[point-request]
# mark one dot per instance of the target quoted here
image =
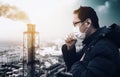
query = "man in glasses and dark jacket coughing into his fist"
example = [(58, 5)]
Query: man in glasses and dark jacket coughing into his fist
[(99, 56)]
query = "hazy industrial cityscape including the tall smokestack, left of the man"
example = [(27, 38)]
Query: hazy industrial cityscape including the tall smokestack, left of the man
[(30, 59)]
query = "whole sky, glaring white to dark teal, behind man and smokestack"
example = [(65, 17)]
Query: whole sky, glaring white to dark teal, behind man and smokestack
[(53, 18)]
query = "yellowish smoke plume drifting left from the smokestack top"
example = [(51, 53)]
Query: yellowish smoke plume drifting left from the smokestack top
[(12, 12)]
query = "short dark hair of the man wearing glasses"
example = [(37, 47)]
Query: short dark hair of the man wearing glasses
[(85, 12)]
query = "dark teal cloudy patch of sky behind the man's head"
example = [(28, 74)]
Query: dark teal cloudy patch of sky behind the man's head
[(107, 10)]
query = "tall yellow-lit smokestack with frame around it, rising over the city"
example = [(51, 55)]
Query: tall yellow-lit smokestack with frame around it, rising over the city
[(32, 43)]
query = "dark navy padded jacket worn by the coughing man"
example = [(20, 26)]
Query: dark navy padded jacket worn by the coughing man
[(101, 57)]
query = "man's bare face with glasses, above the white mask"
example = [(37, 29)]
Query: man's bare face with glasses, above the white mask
[(77, 22)]
